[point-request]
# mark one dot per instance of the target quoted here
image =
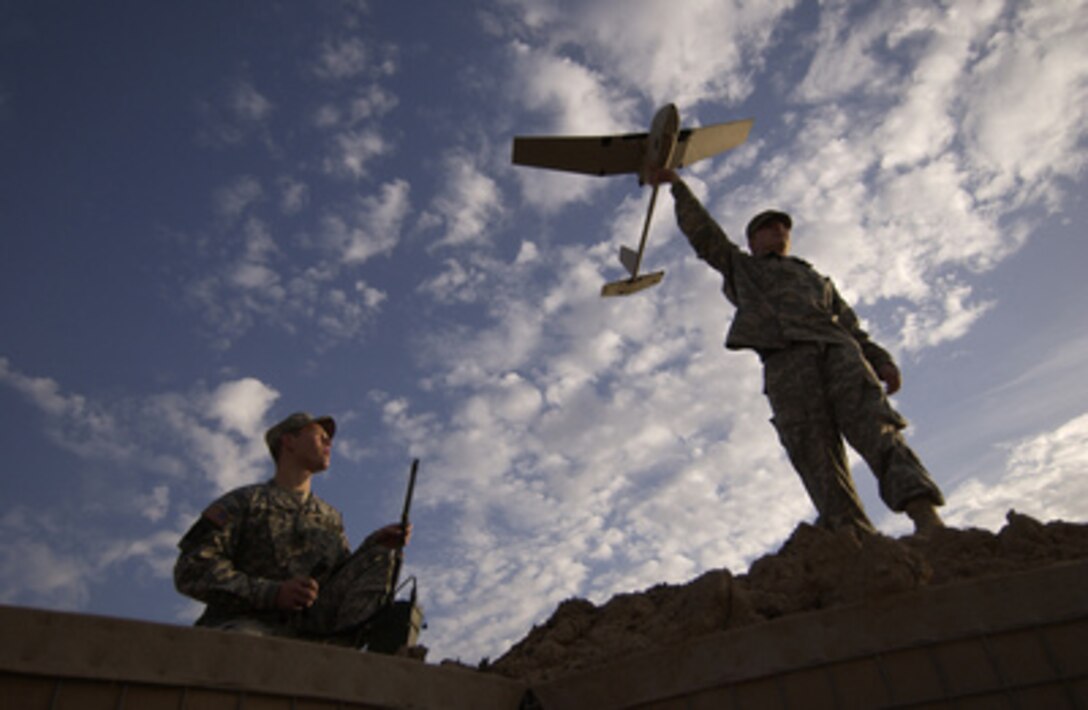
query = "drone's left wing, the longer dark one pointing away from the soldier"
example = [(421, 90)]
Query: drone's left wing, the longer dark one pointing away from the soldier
[(589, 155)]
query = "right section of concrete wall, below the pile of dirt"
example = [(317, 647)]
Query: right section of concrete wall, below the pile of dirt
[(1016, 642)]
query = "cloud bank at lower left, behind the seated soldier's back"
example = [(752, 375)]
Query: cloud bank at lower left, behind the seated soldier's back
[(57, 557)]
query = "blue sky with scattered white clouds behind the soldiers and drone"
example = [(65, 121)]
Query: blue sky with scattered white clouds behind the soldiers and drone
[(215, 215)]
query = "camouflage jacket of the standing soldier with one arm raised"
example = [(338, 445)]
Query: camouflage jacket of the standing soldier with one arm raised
[(780, 300)]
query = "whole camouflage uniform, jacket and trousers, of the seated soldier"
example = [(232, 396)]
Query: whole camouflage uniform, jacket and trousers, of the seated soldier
[(250, 541)]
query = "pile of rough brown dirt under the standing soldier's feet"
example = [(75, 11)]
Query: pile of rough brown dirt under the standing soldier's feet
[(814, 570)]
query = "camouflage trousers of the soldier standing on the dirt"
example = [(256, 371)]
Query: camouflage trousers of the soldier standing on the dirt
[(823, 393)]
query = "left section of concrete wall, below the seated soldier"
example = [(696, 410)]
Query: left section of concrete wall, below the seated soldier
[(72, 662)]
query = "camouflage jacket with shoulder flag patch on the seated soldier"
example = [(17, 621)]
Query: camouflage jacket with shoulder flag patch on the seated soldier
[(253, 539)]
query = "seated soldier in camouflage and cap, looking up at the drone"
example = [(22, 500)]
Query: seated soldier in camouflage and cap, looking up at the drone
[(273, 558)]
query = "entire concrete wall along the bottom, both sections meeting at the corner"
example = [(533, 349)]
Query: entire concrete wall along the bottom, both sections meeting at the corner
[(1016, 642)]
